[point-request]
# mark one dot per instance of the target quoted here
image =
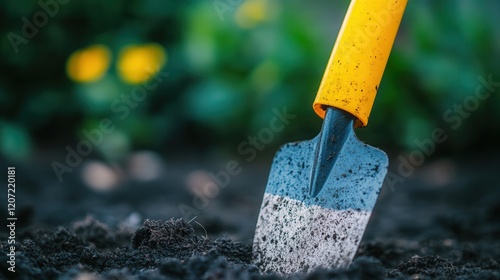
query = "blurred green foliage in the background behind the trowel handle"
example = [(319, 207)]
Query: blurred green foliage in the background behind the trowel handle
[(227, 71)]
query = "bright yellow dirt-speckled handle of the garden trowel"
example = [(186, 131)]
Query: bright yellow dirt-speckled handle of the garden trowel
[(358, 59)]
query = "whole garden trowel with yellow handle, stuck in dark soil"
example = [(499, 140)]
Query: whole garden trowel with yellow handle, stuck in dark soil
[(320, 193)]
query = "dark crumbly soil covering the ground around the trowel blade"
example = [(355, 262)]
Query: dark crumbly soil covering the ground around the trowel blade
[(441, 223)]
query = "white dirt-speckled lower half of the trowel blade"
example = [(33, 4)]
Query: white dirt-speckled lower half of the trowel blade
[(292, 237)]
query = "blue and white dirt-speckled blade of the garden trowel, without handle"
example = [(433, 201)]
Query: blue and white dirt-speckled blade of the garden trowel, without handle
[(299, 232)]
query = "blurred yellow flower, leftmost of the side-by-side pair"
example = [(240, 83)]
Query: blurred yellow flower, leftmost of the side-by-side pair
[(89, 64)]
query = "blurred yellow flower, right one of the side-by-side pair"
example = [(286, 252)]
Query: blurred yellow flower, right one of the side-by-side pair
[(139, 63)]
